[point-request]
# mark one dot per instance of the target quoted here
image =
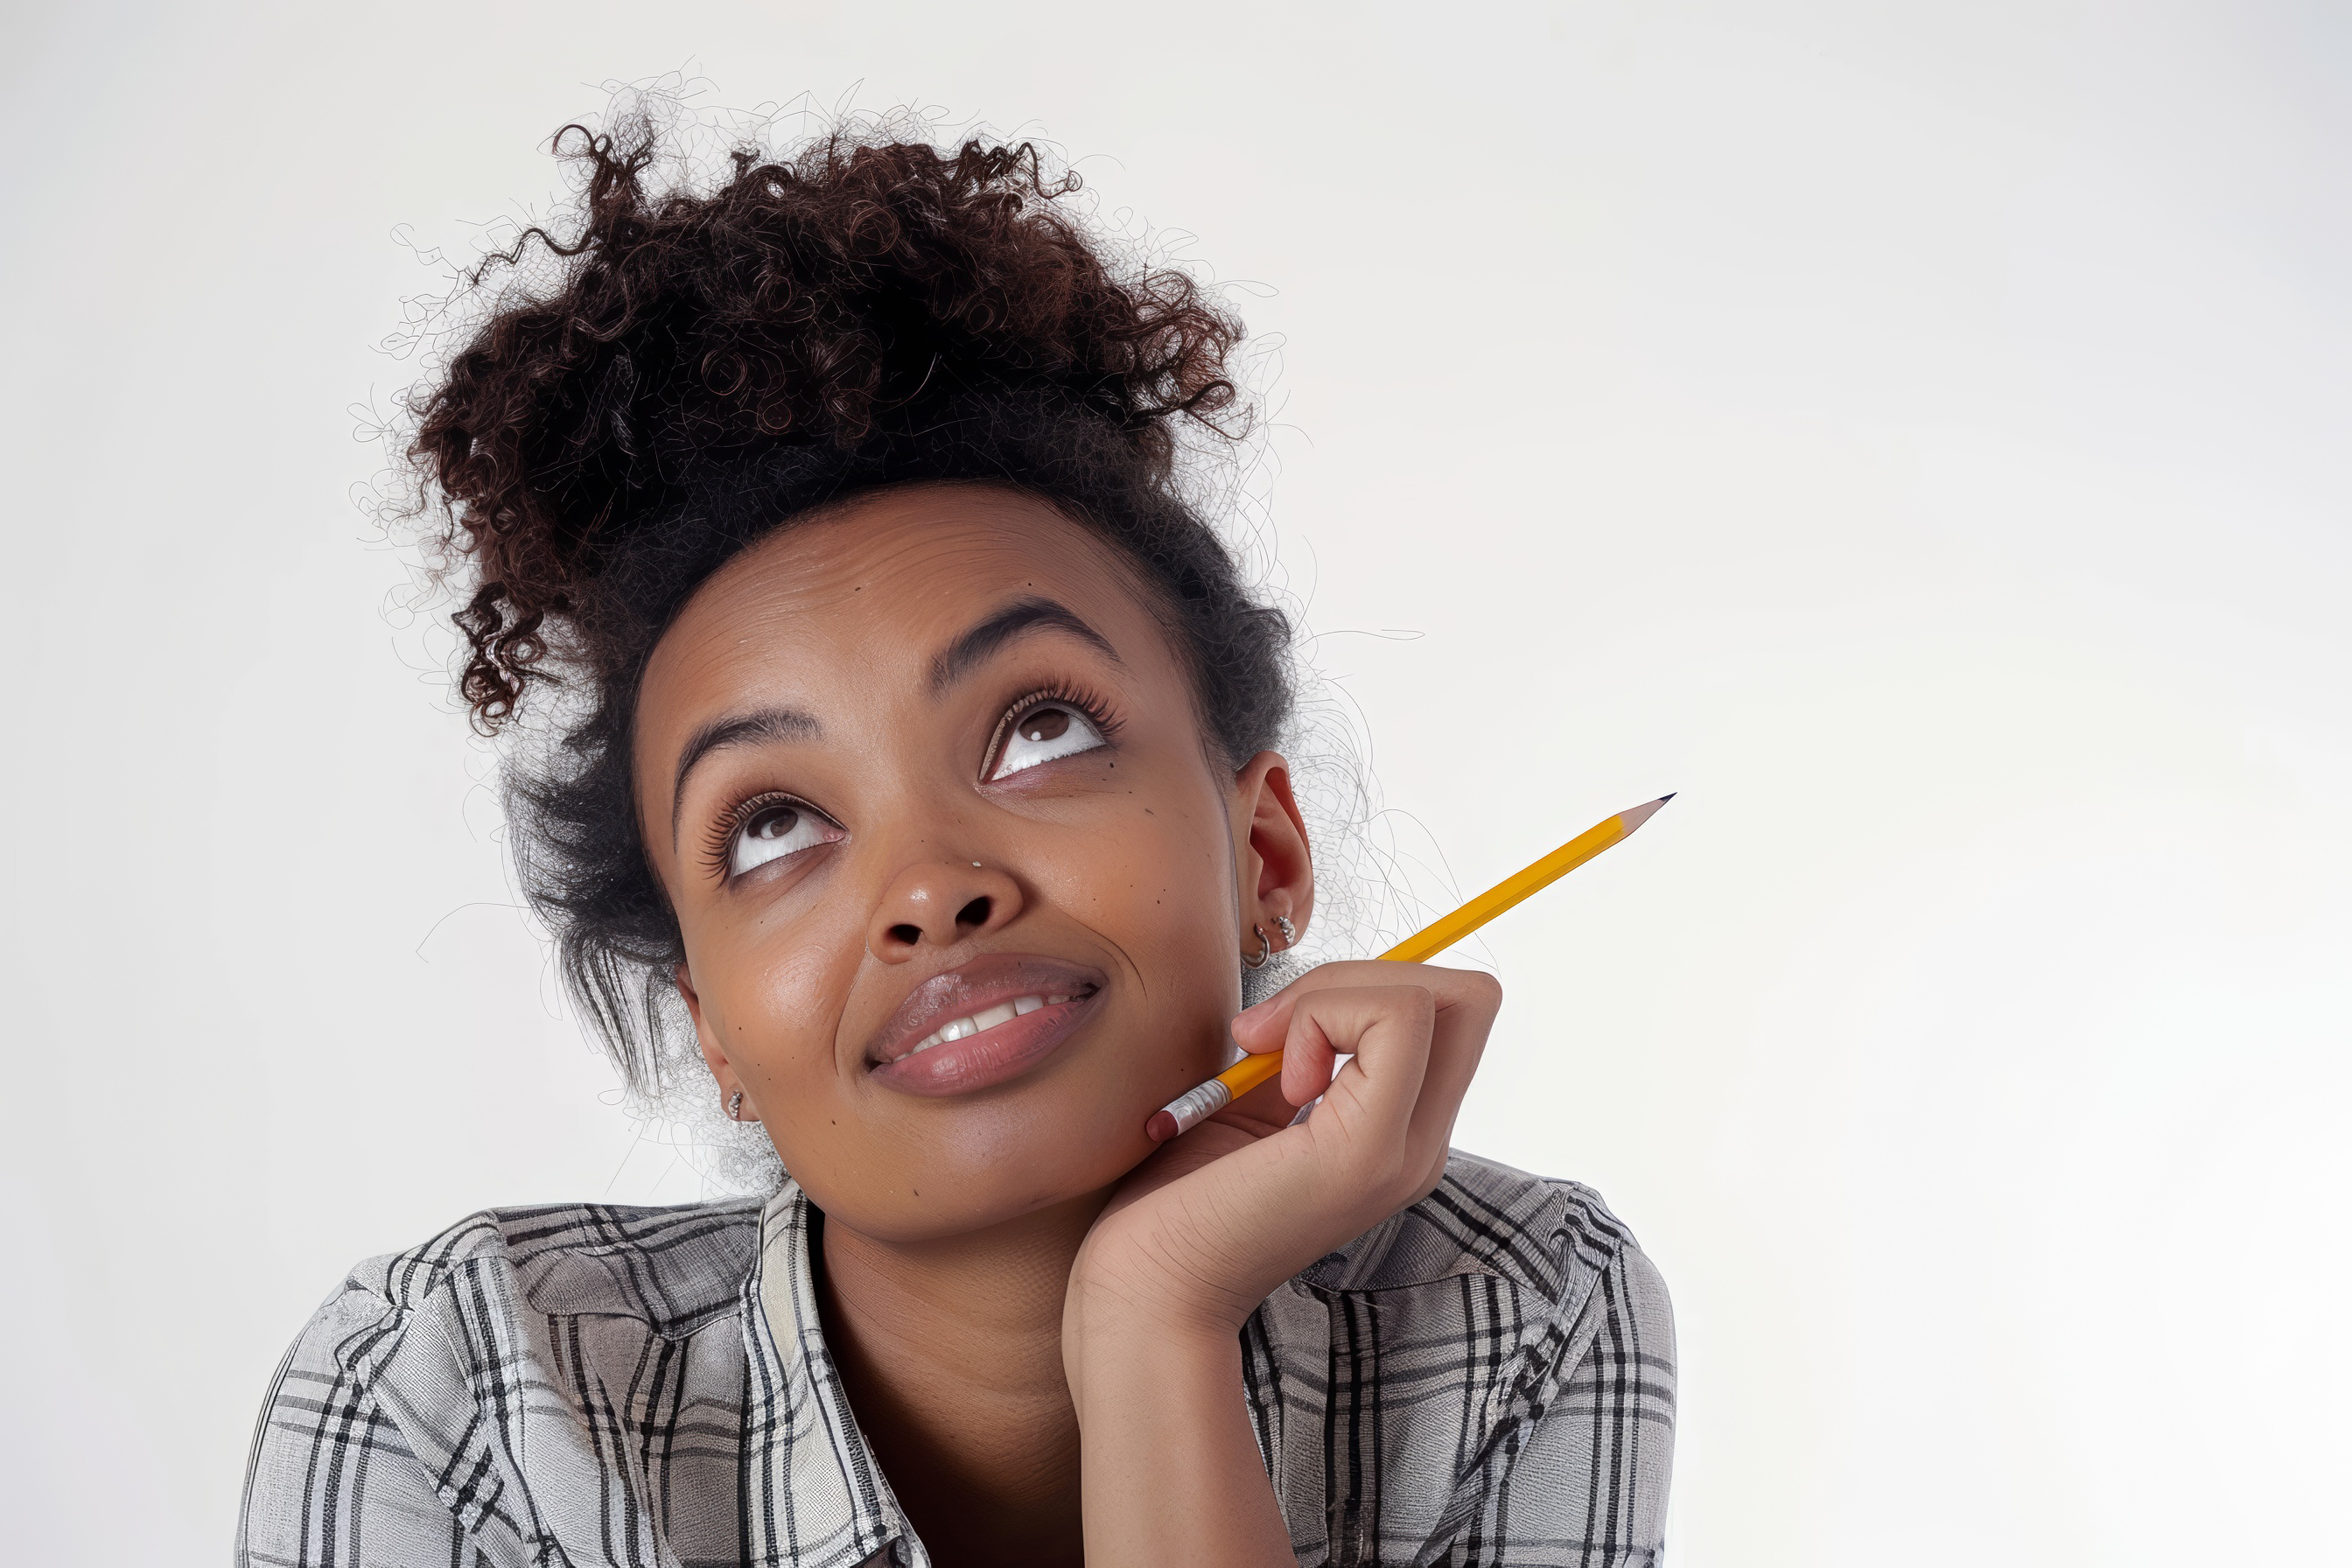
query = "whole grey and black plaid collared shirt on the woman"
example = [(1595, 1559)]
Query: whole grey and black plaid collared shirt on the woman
[(1483, 1379)]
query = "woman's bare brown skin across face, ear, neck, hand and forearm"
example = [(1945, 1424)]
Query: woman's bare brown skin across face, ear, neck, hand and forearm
[(1034, 1308)]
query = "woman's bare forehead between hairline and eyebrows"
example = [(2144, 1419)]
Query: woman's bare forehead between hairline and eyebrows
[(871, 594)]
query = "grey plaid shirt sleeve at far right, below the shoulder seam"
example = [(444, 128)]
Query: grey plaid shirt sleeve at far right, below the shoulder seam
[(1586, 1482)]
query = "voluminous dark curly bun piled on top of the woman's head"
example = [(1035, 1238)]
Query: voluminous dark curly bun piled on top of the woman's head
[(853, 295)]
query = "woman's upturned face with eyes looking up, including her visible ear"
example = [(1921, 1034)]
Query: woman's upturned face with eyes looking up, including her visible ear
[(961, 887)]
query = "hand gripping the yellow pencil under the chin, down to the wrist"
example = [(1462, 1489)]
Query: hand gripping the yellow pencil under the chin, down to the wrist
[(1220, 1219)]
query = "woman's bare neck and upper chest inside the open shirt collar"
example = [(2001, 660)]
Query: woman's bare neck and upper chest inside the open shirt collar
[(951, 1353)]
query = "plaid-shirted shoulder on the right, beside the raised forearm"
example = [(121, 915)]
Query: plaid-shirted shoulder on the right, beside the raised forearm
[(1492, 1365)]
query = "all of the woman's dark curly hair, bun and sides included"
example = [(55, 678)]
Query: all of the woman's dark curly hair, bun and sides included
[(709, 366)]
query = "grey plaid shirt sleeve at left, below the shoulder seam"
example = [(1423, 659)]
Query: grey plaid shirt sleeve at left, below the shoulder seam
[(330, 1477)]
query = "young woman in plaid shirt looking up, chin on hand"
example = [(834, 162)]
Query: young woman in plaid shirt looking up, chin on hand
[(900, 742)]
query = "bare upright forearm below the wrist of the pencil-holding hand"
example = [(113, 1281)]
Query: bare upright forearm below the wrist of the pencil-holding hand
[(1170, 1461)]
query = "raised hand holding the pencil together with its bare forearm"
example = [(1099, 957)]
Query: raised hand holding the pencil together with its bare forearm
[(1215, 1221)]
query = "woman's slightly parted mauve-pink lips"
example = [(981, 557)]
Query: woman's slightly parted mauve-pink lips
[(996, 1054)]
